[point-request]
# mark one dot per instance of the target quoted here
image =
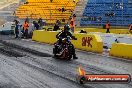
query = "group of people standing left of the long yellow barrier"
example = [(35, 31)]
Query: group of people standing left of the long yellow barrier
[(22, 29)]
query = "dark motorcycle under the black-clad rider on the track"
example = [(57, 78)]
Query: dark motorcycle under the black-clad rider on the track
[(64, 51)]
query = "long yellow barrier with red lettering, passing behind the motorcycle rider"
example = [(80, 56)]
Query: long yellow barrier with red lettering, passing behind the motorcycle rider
[(86, 42)]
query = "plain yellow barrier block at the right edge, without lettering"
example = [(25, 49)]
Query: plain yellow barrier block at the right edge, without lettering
[(121, 50)]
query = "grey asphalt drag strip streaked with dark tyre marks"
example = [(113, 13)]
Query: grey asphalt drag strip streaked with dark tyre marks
[(28, 64)]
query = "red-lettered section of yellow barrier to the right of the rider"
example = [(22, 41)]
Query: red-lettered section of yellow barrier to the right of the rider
[(88, 42)]
